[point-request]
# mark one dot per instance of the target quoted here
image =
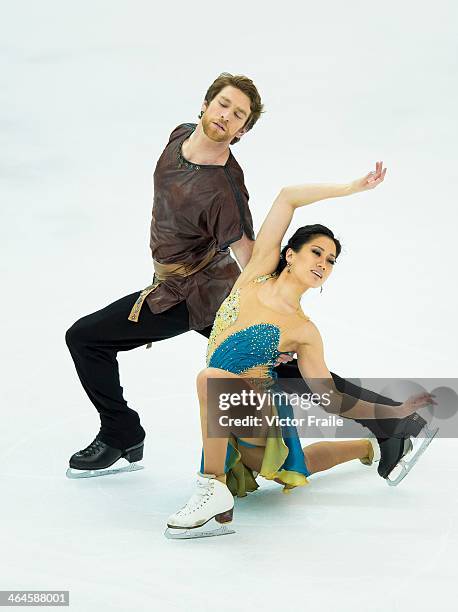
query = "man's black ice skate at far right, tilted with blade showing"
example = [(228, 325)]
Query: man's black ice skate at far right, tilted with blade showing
[(399, 453)]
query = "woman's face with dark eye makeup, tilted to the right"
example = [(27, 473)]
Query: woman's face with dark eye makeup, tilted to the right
[(314, 262)]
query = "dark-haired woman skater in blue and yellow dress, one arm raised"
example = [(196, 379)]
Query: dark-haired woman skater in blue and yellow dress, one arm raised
[(259, 319)]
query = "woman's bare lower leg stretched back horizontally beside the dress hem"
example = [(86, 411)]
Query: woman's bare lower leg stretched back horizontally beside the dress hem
[(322, 456)]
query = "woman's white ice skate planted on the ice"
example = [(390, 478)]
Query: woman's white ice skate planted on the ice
[(206, 514)]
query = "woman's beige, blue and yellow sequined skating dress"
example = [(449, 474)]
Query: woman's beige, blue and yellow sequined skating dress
[(250, 350)]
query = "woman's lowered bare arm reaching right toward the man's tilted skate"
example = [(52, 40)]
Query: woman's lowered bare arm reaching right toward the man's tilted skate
[(312, 366)]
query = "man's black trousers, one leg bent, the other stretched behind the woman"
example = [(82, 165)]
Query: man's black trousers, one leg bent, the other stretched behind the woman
[(94, 341)]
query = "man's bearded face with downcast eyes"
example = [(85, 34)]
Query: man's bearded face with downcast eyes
[(229, 109)]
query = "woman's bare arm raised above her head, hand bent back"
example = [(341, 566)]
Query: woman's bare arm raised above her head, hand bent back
[(266, 250)]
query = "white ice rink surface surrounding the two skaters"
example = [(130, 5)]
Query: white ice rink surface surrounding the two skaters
[(91, 94)]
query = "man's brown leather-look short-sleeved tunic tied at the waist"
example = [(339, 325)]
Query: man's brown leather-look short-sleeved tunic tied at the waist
[(197, 209)]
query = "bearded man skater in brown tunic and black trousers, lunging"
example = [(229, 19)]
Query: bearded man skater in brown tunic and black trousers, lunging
[(200, 208)]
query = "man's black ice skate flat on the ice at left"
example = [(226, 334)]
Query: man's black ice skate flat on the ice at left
[(98, 458)]
